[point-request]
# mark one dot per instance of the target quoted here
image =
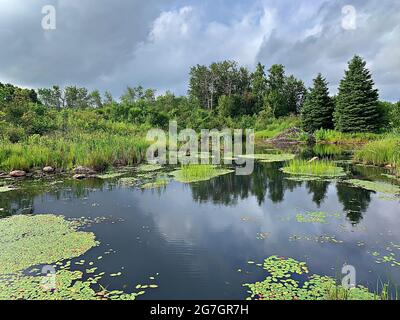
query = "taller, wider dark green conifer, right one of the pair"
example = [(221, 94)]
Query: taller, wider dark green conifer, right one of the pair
[(357, 108)]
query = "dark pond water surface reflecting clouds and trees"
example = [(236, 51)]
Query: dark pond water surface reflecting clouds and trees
[(197, 236)]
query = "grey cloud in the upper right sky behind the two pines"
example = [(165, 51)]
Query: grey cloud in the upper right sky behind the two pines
[(376, 38)]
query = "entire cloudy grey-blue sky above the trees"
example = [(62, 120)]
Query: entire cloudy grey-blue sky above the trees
[(109, 44)]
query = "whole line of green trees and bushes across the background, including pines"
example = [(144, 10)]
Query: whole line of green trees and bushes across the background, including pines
[(222, 94)]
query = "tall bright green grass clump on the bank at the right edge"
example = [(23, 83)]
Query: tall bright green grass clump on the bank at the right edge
[(381, 153)]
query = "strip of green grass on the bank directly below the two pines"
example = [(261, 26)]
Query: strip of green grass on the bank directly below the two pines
[(333, 136)]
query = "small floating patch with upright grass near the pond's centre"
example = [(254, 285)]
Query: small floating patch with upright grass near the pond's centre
[(198, 172)]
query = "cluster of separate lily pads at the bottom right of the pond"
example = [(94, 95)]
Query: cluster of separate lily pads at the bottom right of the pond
[(281, 285)]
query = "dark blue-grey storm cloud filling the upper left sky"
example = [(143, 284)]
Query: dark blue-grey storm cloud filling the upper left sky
[(92, 37)]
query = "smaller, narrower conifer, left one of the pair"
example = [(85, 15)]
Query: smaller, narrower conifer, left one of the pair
[(318, 108)]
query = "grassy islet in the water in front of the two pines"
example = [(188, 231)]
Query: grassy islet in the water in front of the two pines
[(316, 168)]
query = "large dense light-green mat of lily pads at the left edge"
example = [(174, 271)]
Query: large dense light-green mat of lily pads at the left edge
[(42, 239)]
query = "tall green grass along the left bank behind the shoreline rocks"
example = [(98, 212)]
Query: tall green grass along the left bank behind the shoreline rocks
[(97, 151)]
